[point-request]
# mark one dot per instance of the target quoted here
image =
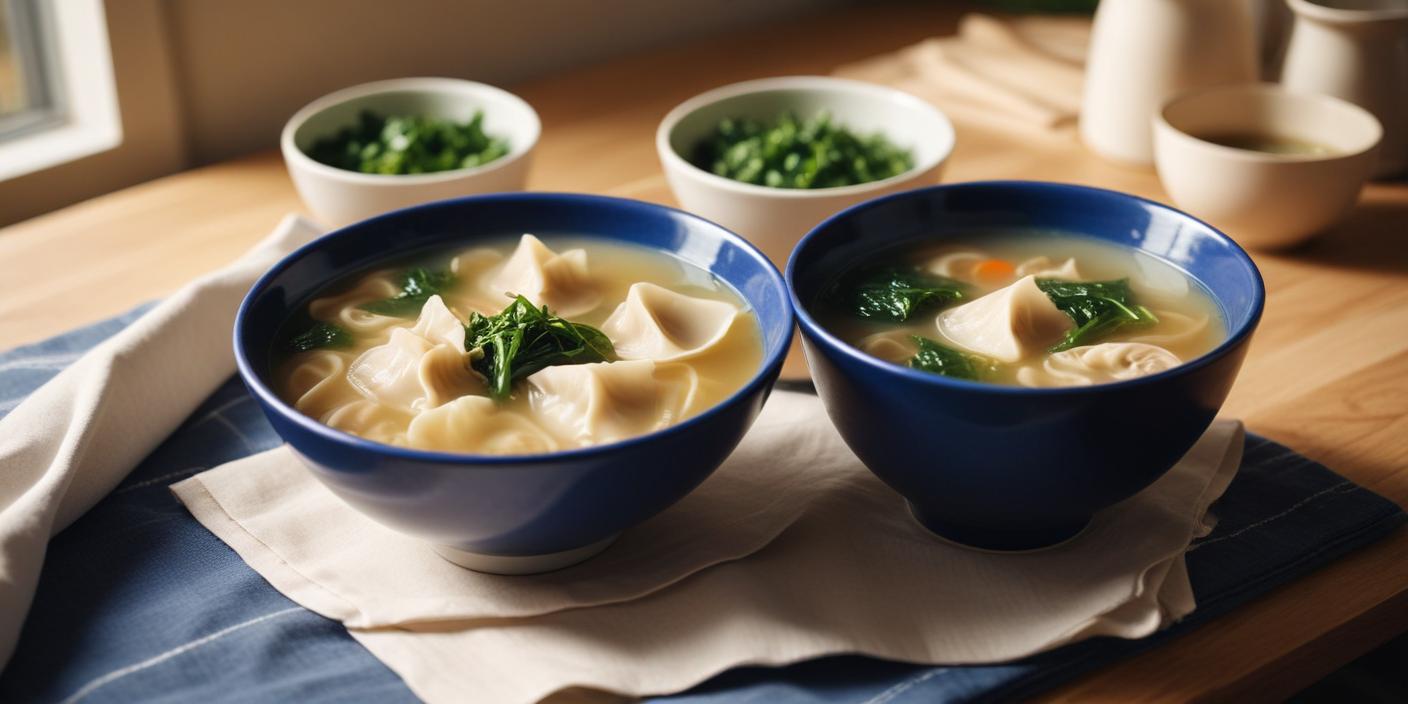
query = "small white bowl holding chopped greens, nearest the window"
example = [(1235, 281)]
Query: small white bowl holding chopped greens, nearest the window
[(339, 196)]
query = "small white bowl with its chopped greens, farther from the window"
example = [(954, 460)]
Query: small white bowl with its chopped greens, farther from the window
[(772, 158)]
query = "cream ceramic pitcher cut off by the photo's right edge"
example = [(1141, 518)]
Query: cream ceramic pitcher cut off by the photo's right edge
[(1357, 50)]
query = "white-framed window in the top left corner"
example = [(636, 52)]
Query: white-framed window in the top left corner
[(57, 95)]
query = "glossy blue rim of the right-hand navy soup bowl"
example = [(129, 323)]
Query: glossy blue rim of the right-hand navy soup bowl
[(810, 325)]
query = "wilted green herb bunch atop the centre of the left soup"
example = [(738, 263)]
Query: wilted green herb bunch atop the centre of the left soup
[(526, 339)]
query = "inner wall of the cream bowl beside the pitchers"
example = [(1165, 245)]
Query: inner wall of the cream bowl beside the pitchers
[(1271, 112)]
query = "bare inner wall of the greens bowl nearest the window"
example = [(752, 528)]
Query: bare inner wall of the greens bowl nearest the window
[(505, 115)]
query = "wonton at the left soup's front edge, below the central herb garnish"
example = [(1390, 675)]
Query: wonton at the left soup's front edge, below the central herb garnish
[(478, 426)]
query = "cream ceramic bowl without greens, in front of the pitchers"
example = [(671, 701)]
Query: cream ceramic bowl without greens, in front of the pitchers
[(1265, 201)]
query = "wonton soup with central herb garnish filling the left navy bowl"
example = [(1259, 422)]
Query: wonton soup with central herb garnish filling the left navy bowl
[(517, 347)]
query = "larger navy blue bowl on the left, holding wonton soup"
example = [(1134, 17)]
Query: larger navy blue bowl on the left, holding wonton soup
[(533, 512)]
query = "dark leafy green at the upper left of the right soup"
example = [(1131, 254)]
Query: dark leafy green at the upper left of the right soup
[(896, 295)]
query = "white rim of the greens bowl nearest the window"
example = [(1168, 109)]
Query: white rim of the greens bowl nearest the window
[(448, 87)]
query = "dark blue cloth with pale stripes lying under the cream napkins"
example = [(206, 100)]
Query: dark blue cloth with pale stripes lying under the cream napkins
[(140, 603)]
